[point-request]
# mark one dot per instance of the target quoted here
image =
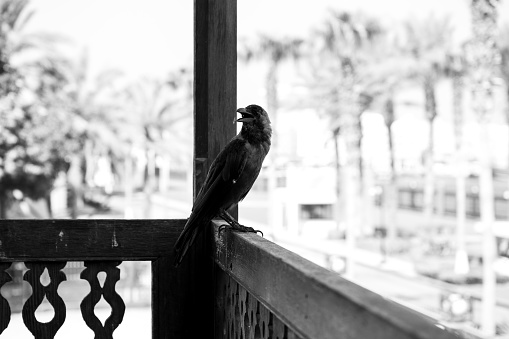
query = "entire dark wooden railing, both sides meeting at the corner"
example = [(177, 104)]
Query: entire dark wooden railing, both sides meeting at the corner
[(235, 286)]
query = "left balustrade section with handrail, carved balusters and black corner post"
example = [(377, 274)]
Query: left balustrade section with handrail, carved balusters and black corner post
[(47, 245)]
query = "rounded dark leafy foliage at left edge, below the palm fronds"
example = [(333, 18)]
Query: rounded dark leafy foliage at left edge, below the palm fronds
[(33, 147)]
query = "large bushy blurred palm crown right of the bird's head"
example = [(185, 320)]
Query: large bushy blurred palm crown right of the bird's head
[(341, 79)]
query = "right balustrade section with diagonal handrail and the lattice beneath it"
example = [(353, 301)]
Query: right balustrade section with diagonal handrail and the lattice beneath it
[(265, 291)]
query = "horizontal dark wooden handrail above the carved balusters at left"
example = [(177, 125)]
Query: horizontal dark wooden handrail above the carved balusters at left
[(79, 240)]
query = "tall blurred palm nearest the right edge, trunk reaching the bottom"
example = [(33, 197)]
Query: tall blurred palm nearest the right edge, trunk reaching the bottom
[(484, 59)]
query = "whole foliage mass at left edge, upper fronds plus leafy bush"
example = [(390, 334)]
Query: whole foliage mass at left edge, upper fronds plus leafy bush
[(34, 138)]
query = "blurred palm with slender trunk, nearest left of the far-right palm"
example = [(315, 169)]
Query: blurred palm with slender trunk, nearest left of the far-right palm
[(428, 42)]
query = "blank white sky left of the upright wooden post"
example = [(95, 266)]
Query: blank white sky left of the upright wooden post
[(139, 37)]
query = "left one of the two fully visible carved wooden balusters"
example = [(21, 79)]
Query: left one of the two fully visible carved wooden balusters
[(39, 292)]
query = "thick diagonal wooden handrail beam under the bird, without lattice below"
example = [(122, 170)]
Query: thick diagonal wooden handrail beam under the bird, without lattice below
[(313, 302)]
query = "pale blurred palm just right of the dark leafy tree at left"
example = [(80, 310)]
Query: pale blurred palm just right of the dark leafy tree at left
[(94, 109)]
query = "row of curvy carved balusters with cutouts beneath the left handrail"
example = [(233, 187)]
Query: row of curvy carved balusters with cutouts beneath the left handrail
[(48, 288)]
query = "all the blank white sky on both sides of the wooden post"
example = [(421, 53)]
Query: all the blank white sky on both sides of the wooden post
[(155, 36)]
